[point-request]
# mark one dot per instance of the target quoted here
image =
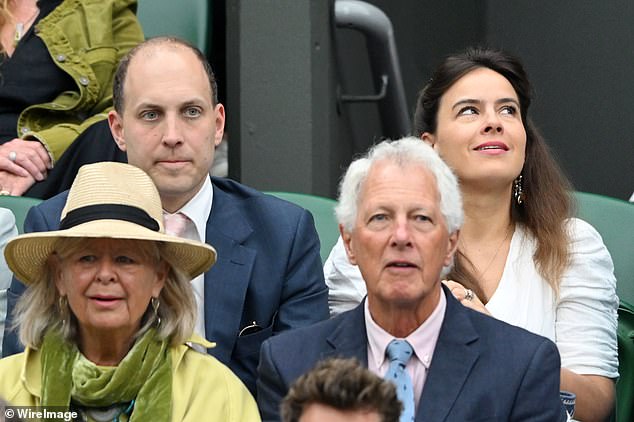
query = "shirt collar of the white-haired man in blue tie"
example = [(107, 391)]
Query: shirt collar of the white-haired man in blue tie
[(423, 340)]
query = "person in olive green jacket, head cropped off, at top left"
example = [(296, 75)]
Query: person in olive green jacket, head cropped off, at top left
[(57, 62)]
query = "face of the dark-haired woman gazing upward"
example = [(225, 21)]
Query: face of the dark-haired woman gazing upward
[(480, 133)]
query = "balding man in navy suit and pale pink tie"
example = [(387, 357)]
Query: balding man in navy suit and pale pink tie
[(268, 277)]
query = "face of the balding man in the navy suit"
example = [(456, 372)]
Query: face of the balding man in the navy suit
[(169, 126)]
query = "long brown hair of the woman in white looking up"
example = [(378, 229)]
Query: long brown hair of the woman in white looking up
[(546, 203)]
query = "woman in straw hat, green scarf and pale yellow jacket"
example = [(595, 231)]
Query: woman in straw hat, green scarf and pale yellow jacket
[(109, 312)]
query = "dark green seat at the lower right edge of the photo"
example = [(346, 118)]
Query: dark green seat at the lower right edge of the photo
[(625, 384)]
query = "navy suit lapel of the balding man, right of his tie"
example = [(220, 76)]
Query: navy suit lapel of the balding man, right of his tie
[(227, 281)]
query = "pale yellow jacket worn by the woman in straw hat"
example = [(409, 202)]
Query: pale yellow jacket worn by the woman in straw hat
[(203, 389)]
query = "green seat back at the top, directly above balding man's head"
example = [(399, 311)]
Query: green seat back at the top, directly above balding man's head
[(185, 19)]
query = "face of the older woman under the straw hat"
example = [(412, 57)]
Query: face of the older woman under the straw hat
[(109, 284)]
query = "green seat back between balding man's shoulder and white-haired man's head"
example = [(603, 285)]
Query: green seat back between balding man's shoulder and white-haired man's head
[(323, 211)]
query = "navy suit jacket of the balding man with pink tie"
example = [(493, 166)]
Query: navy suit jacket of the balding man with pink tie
[(268, 271)]
